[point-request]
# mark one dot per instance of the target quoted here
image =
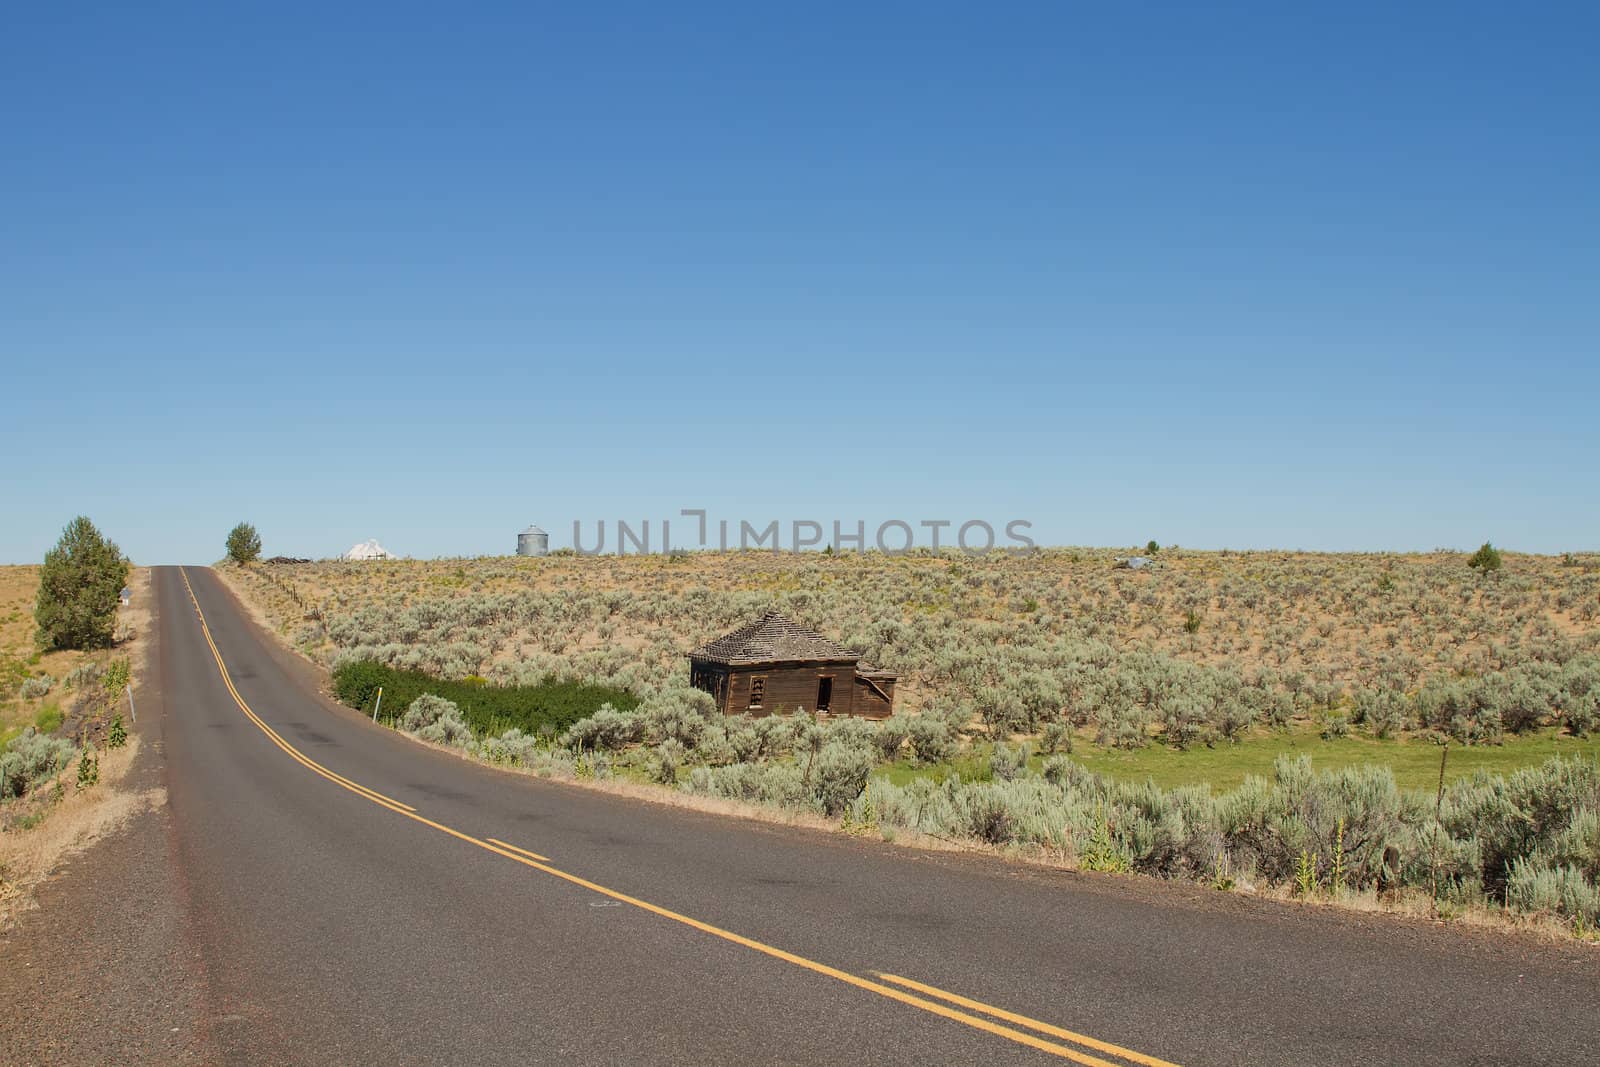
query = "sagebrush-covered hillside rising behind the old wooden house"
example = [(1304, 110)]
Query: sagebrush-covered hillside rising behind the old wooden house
[(1199, 649)]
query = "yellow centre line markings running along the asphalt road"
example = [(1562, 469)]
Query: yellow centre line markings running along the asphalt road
[(999, 1023)]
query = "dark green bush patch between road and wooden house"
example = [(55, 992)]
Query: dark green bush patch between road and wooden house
[(490, 709)]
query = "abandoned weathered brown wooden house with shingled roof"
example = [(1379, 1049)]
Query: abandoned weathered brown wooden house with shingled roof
[(778, 666)]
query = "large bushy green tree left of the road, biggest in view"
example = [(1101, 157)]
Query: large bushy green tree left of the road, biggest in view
[(79, 588)]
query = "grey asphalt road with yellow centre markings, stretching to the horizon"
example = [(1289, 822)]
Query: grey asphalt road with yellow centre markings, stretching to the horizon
[(348, 897)]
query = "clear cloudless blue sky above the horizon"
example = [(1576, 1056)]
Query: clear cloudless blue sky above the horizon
[(1220, 276)]
